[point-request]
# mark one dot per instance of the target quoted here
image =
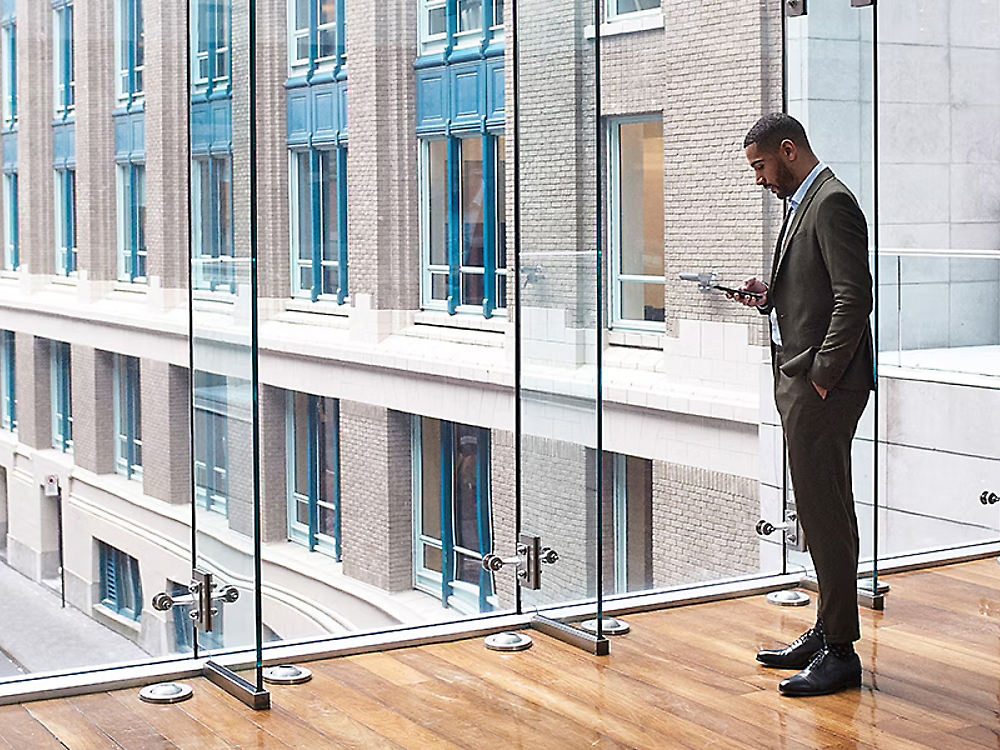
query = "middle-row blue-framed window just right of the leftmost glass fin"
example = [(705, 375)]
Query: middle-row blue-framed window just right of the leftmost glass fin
[(319, 223)]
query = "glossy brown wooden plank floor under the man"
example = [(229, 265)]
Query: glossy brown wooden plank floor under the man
[(683, 678)]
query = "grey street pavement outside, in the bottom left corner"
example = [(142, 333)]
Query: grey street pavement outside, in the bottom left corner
[(38, 635)]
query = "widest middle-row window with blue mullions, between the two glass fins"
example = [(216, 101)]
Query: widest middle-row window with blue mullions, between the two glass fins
[(463, 211)]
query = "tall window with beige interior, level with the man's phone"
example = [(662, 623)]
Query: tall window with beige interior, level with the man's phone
[(636, 227)]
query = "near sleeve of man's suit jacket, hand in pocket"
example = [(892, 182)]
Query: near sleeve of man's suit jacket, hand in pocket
[(843, 242)]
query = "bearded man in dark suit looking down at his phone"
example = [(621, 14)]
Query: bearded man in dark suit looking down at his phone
[(819, 299)]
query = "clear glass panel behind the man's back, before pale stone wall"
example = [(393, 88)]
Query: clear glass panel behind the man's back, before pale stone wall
[(939, 260)]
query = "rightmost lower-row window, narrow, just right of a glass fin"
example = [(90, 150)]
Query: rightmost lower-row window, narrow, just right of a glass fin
[(633, 523)]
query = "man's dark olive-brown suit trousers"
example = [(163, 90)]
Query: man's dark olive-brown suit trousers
[(818, 433)]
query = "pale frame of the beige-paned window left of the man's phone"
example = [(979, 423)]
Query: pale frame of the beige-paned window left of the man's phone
[(616, 278)]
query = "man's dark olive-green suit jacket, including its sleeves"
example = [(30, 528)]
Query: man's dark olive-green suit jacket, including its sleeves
[(821, 290)]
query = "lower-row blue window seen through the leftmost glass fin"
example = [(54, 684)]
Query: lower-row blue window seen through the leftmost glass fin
[(212, 396)]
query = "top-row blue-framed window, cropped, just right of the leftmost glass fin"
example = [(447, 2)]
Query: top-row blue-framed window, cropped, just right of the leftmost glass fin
[(316, 34)]
